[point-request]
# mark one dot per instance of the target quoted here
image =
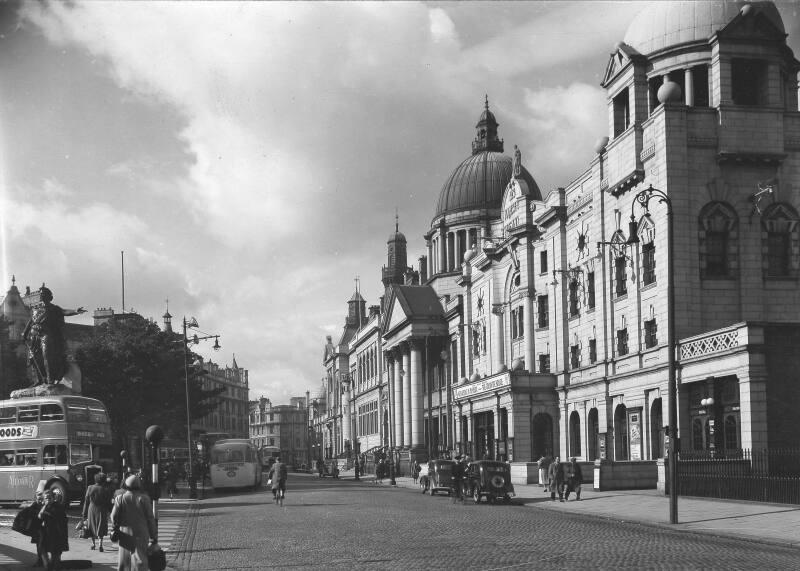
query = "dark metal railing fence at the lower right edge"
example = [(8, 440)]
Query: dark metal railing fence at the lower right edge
[(770, 475)]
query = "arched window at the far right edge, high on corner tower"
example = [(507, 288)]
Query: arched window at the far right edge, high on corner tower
[(780, 243)]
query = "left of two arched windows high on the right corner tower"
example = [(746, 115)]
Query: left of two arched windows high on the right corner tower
[(718, 240)]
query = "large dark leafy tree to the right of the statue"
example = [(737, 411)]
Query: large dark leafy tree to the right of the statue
[(137, 371)]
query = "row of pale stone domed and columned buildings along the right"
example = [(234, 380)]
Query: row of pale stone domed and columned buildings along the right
[(538, 322)]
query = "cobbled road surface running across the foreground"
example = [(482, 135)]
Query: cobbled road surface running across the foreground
[(335, 524)]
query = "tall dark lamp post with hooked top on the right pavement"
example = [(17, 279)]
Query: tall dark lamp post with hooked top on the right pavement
[(643, 198)]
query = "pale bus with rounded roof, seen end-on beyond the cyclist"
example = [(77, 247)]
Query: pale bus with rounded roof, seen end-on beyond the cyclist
[(235, 463)]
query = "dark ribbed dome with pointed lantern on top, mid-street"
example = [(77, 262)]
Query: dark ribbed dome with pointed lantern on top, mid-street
[(480, 180)]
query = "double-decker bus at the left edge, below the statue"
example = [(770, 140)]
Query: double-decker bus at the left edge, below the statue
[(64, 440)]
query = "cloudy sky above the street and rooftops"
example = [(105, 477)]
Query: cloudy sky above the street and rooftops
[(249, 158)]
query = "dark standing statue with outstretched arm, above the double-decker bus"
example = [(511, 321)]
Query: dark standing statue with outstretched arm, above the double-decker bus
[(44, 336)]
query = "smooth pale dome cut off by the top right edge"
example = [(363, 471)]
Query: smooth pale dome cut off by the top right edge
[(664, 24)]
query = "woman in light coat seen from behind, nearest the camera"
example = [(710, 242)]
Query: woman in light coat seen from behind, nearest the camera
[(134, 526)]
